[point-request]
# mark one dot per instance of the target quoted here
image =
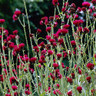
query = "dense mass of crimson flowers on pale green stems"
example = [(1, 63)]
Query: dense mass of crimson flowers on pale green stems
[(61, 64)]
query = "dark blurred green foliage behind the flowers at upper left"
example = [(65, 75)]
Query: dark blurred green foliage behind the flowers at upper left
[(7, 8)]
